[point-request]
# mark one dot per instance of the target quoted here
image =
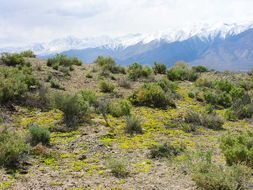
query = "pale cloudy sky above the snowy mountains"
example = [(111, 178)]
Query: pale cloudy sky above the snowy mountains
[(29, 21)]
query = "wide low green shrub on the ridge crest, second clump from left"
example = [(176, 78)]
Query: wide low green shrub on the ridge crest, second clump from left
[(63, 60)]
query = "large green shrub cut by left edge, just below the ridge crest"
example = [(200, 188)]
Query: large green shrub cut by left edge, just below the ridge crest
[(15, 84)]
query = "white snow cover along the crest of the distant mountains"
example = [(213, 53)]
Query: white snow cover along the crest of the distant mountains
[(202, 31)]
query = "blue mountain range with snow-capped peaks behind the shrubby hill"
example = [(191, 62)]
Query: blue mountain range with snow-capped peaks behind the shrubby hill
[(221, 46)]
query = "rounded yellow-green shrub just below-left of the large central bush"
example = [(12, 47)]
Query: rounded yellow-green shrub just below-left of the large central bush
[(120, 108)]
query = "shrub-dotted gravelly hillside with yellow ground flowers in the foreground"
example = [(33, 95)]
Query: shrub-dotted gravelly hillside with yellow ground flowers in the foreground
[(113, 127)]
